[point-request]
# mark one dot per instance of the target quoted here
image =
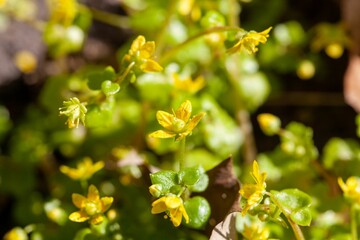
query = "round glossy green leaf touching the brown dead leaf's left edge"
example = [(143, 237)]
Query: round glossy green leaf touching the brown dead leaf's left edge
[(199, 212)]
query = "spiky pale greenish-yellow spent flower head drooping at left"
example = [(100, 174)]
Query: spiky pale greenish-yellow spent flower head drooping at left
[(75, 110)]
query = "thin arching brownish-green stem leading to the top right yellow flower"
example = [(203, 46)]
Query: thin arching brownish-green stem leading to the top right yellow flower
[(174, 50)]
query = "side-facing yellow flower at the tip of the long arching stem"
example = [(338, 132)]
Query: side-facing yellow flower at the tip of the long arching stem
[(250, 40)]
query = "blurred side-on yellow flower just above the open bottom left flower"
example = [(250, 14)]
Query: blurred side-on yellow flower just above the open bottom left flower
[(84, 170)]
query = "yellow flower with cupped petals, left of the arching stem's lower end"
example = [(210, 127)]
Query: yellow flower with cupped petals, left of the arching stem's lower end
[(141, 52)]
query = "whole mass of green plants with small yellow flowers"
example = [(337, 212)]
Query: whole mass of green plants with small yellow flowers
[(154, 147)]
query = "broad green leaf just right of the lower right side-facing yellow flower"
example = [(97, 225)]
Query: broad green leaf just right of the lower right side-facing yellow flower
[(295, 204)]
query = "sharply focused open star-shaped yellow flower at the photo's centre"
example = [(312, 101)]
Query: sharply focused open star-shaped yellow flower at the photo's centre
[(178, 124)]
